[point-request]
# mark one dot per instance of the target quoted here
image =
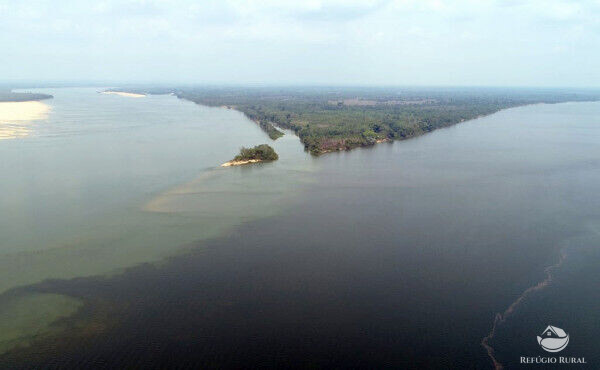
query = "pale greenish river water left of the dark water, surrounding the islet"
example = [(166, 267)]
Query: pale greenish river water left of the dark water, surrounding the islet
[(107, 182)]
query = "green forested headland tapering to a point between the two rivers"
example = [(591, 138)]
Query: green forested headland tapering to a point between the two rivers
[(329, 119)]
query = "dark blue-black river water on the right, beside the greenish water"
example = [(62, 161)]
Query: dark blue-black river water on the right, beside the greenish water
[(399, 255)]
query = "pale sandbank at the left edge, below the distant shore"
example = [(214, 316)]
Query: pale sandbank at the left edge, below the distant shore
[(15, 117)]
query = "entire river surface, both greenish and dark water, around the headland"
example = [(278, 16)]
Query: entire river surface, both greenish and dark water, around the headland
[(125, 245)]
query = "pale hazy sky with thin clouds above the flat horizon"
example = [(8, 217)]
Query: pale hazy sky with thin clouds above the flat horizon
[(400, 42)]
